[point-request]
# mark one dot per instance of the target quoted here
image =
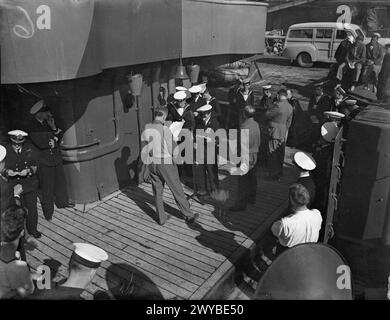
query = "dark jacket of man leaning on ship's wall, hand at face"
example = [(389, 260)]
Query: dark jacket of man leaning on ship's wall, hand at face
[(40, 135)]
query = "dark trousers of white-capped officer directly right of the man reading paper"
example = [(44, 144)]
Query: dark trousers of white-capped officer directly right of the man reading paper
[(206, 177)]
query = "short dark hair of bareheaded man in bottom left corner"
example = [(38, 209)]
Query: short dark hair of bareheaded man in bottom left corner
[(12, 223)]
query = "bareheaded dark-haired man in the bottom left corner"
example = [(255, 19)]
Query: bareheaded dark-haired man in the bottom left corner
[(15, 278)]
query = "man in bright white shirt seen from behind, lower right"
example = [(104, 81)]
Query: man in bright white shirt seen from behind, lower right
[(302, 226)]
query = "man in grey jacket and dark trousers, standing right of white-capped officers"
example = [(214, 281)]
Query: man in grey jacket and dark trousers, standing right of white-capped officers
[(247, 183)]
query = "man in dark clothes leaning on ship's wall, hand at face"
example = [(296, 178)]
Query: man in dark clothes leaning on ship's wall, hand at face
[(47, 137)]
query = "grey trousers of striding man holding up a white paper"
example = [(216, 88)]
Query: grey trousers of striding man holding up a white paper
[(167, 173)]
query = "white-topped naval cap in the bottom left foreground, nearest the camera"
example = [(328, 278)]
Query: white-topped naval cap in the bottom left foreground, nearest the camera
[(88, 255)]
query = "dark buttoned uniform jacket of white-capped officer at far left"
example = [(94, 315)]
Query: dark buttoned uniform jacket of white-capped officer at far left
[(26, 159)]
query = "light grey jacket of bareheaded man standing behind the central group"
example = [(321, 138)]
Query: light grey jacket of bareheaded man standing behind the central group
[(279, 120)]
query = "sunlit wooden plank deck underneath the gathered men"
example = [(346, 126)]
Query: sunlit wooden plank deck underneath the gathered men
[(174, 261)]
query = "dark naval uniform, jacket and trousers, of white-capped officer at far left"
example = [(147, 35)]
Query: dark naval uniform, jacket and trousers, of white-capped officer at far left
[(26, 158)]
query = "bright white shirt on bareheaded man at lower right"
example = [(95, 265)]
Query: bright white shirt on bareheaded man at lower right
[(300, 227)]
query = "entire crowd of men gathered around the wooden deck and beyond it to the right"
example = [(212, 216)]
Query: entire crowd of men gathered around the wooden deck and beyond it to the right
[(31, 162)]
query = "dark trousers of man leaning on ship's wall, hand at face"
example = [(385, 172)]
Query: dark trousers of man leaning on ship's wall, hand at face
[(53, 187)]
